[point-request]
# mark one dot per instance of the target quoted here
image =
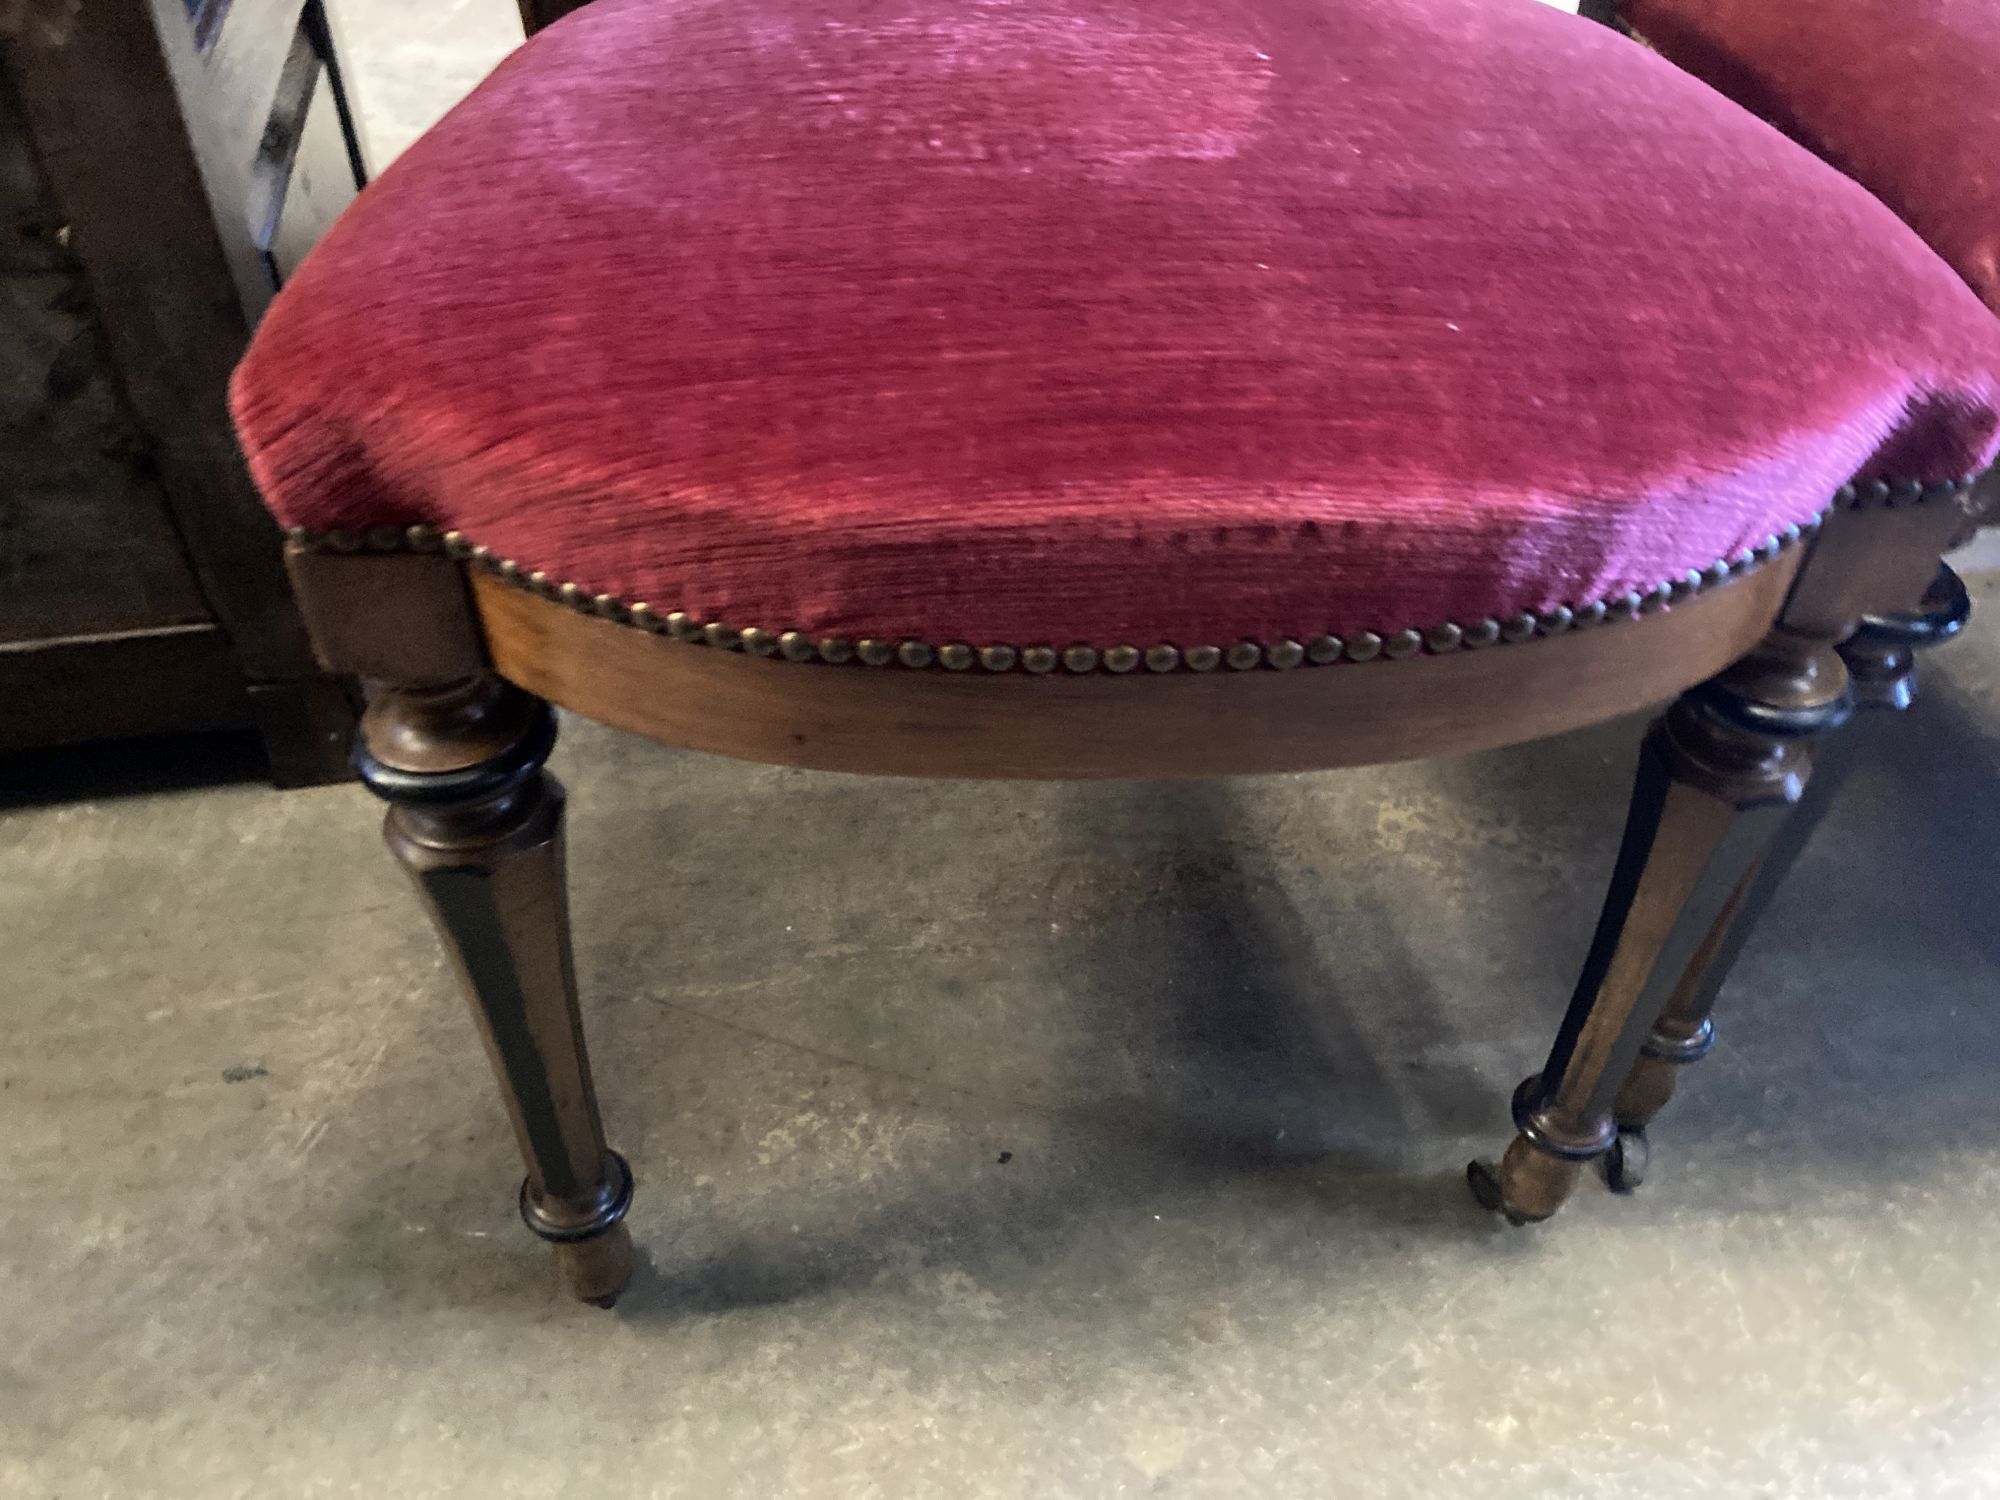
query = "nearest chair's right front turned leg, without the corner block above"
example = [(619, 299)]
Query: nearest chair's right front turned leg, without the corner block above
[(1717, 775)]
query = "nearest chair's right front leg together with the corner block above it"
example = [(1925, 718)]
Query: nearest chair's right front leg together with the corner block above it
[(1717, 777)]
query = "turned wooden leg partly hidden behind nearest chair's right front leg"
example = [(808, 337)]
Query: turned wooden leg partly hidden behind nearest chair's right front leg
[(1881, 661)]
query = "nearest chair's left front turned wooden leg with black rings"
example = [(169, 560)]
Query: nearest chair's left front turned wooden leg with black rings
[(479, 827)]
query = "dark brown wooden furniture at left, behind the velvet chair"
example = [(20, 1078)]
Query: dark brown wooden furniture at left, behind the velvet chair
[(161, 169)]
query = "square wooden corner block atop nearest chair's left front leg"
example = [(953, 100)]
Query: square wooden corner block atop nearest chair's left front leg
[(395, 617)]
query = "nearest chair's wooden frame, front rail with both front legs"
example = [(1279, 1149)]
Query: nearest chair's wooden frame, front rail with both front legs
[(469, 651)]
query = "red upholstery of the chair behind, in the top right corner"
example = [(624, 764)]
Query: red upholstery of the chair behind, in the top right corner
[(1901, 95)]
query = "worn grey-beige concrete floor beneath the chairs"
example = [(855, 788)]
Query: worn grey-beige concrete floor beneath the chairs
[(1039, 1141)]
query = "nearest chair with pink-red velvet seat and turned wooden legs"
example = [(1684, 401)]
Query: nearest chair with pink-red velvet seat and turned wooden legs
[(1103, 389)]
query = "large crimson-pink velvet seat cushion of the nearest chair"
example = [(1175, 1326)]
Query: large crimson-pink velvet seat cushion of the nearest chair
[(1107, 321)]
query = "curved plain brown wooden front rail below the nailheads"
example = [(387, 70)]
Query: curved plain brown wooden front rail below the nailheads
[(905, 723)]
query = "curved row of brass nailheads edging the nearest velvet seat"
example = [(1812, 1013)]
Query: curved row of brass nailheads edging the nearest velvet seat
[(1243, 655)]
